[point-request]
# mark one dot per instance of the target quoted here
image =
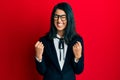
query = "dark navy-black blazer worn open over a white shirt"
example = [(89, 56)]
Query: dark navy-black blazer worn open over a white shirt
[(49, 67)]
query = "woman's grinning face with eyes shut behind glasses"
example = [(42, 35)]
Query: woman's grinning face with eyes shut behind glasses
[(60, 20)]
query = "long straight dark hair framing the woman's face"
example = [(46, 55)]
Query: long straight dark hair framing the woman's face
[(70, 27)]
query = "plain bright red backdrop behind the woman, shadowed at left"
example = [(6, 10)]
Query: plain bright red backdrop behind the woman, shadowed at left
[(22, 22)]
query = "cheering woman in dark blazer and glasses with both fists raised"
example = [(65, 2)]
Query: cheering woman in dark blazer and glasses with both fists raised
[(59, 54)]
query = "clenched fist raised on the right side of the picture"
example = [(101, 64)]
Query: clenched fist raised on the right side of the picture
[(77, 50)]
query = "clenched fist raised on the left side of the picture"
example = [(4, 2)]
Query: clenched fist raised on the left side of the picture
[(39, 48)]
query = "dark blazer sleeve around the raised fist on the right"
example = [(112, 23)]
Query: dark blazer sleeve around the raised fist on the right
[(79, 66)]
